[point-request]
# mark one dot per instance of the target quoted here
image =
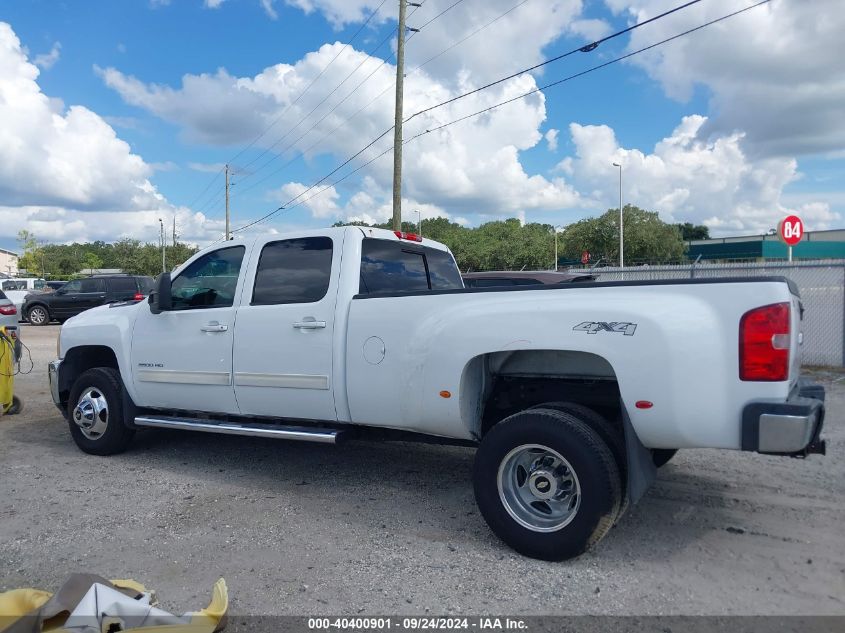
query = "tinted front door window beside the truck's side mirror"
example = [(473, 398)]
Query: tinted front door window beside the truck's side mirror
[(210, 281)]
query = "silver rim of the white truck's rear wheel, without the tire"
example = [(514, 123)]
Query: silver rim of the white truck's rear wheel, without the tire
[(539, 488)]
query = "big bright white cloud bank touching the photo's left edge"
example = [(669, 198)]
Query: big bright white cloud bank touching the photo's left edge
[(66, 175)]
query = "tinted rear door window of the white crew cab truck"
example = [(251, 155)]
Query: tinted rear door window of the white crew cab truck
[(293, 271)]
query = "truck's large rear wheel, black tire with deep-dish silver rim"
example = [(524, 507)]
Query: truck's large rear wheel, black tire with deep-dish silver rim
[(547, 484)]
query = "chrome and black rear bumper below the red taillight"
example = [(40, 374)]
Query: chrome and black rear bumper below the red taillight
[(790, 428)]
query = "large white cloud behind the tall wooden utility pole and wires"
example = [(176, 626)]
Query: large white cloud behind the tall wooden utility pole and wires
[(473, 166)]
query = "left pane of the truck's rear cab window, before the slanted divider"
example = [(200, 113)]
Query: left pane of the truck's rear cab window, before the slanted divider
[(391, 267)]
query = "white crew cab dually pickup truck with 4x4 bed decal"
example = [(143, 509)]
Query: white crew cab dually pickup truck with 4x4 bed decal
[(571, 393)]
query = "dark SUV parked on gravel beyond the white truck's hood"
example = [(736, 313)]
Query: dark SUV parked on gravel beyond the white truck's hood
[(79, 295)]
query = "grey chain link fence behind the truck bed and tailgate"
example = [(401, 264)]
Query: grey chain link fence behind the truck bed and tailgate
[(822, 285)]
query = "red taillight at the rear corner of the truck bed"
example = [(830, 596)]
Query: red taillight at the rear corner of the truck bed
[(764, 343)]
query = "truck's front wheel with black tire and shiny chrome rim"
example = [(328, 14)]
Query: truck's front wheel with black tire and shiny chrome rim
[(95, 412)]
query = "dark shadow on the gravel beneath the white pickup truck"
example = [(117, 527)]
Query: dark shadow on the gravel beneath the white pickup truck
[(424, 490)]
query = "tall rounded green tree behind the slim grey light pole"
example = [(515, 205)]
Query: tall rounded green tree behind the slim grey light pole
[(647, 237)]
